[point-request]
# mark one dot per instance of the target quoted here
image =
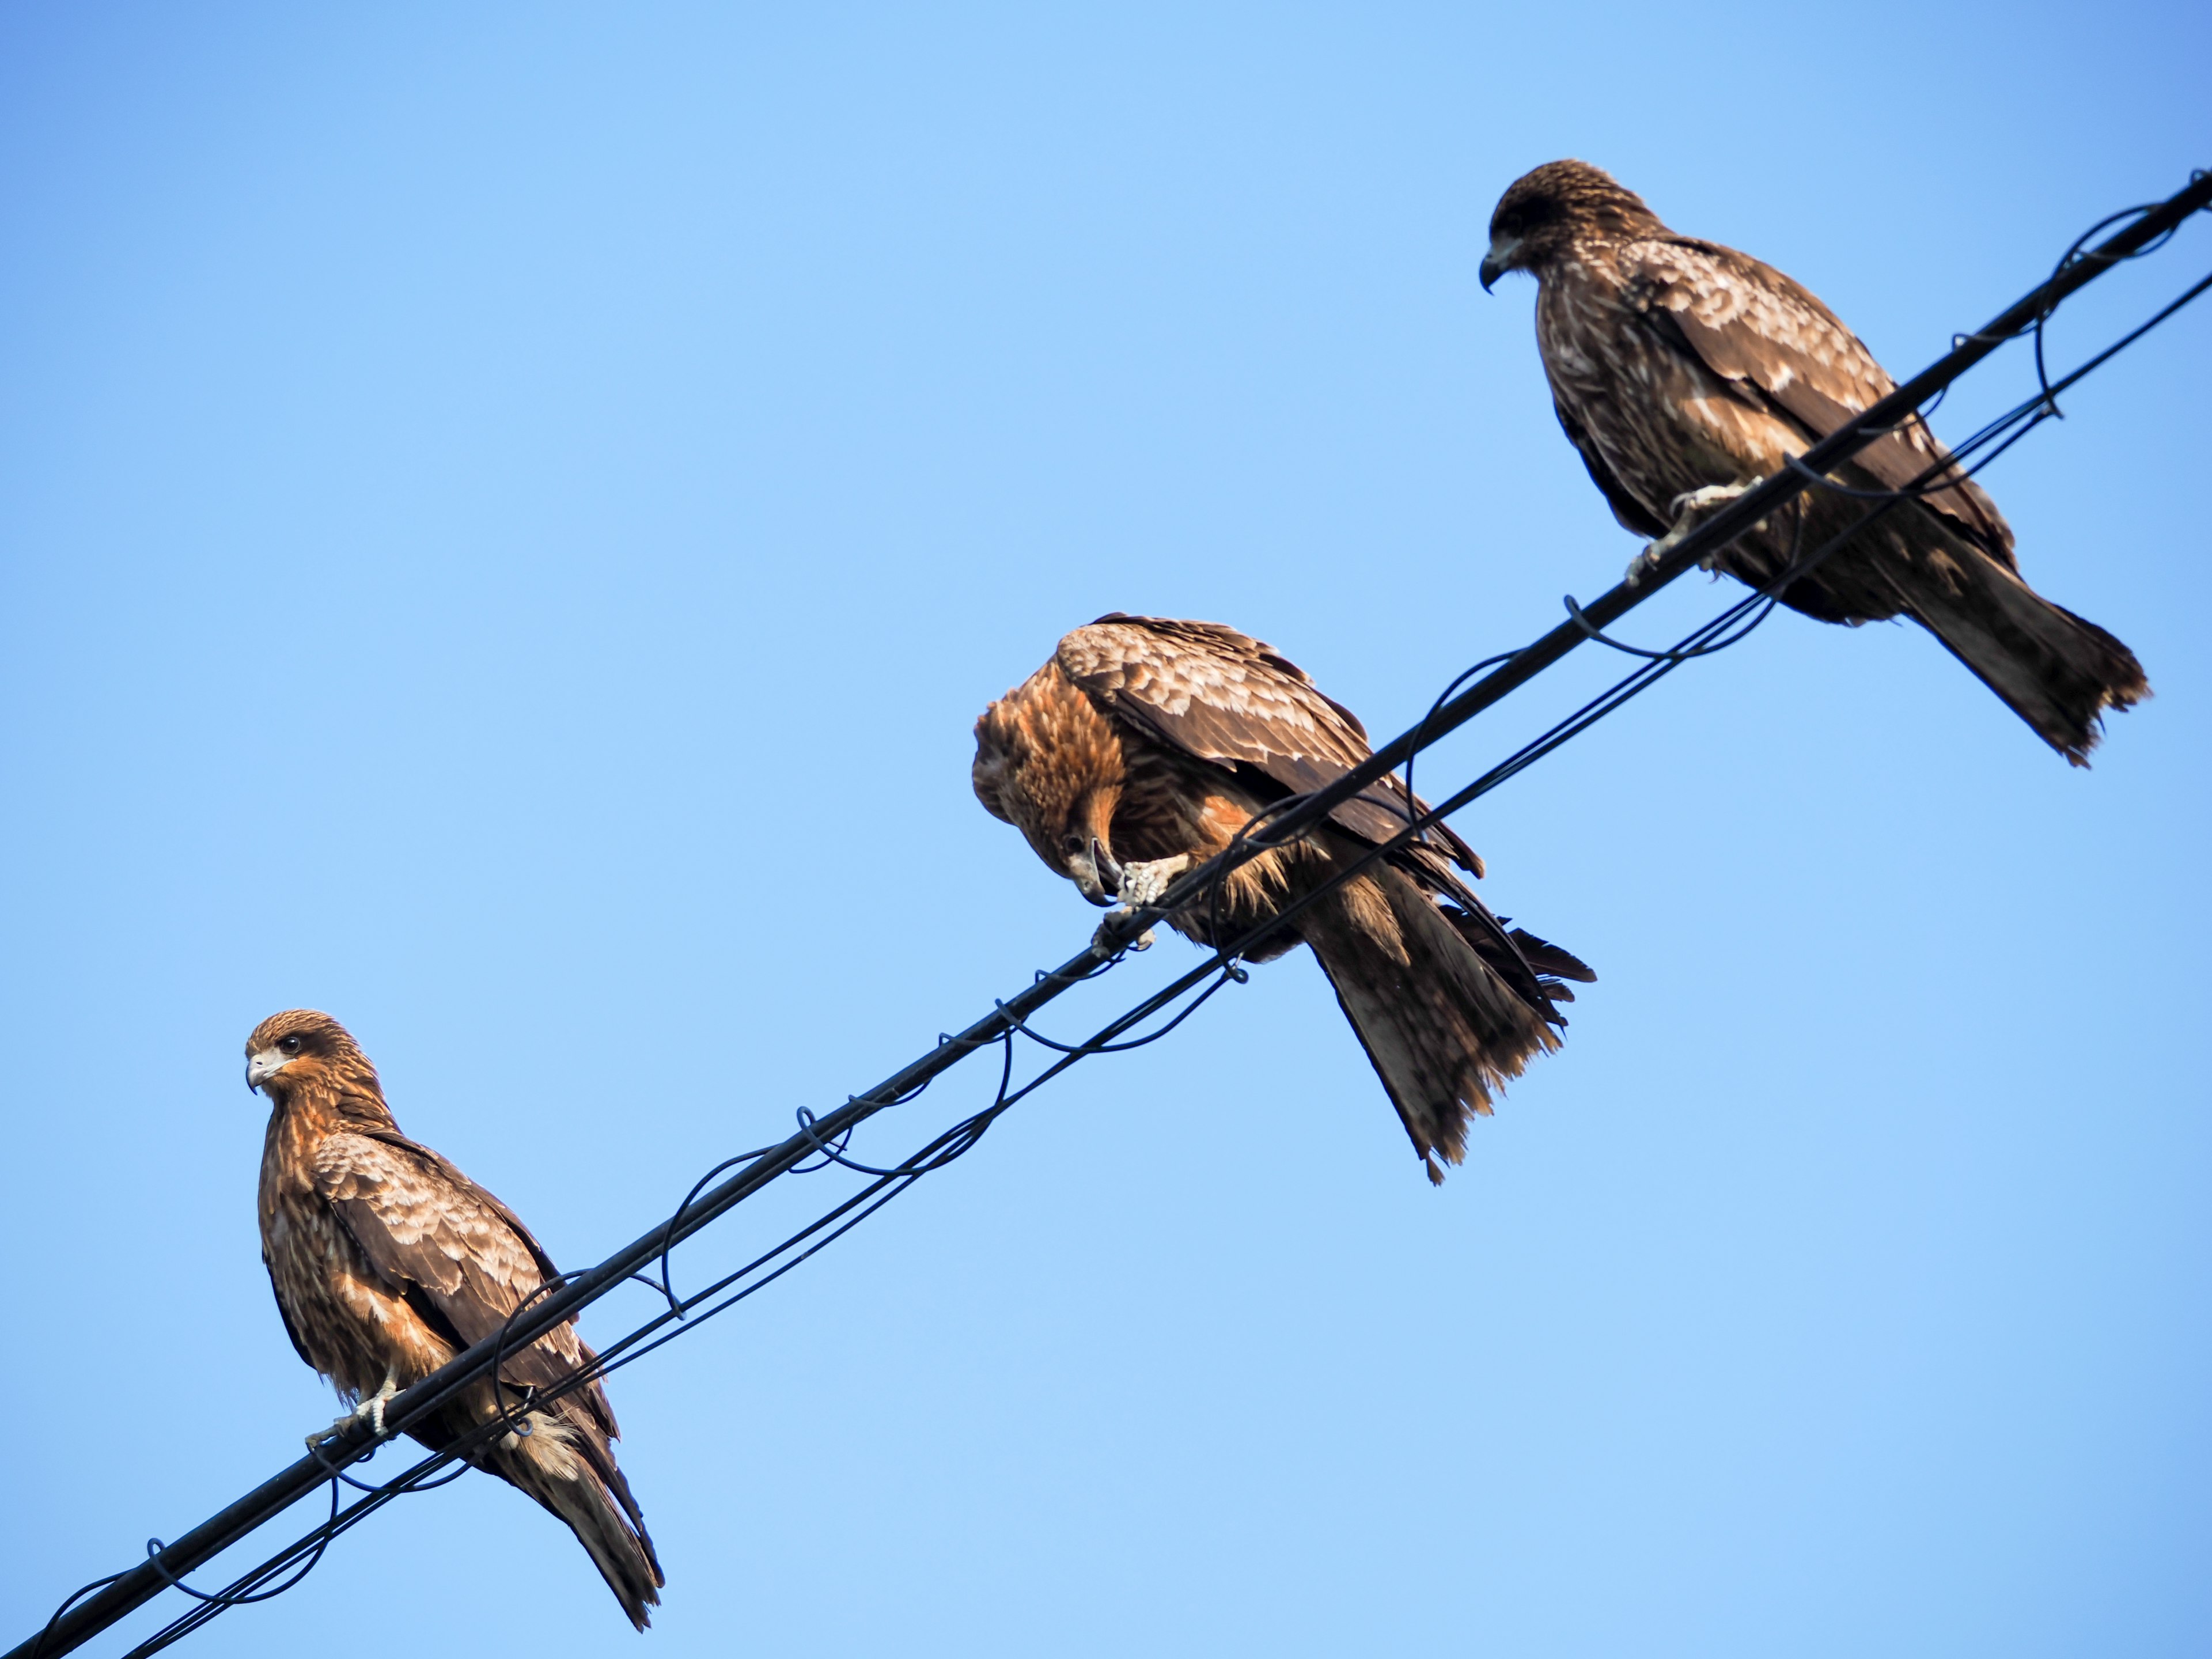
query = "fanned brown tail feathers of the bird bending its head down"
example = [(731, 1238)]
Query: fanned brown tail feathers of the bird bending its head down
[(1443, 1025)]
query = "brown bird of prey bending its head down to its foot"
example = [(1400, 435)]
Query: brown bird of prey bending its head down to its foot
[(1145, 747)]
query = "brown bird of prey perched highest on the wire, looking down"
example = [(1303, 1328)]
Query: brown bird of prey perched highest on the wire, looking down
[(1684, 373)]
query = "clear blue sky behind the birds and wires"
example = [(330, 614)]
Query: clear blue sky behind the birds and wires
[(510, 517)]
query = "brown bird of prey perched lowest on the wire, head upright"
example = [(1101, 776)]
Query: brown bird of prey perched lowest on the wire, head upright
[(388, 1262)]
